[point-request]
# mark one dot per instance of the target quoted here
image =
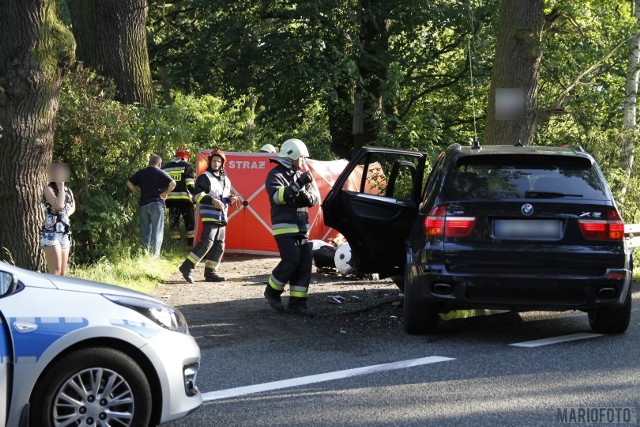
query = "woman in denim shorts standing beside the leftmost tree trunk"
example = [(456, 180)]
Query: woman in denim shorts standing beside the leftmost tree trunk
[(59, 205)]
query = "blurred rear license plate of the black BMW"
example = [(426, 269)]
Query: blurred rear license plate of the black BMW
[(535, 229)]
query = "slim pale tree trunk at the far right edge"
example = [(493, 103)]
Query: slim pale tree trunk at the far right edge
[(627, 154)]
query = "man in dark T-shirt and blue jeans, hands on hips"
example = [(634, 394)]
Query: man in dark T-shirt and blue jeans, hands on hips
[(152, 185)]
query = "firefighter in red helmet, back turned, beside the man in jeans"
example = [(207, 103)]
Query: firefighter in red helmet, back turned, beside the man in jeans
[(179, 200)]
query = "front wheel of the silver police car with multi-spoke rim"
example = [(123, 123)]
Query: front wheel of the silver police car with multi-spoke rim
[(94, 386)]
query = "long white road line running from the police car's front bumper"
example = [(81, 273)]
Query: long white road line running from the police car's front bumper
[(329, 376)]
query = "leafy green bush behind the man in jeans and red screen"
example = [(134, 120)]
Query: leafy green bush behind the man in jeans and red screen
[(105, 142)]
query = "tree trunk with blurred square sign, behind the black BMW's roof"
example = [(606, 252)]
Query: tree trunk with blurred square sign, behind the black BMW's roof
[(515, 73)]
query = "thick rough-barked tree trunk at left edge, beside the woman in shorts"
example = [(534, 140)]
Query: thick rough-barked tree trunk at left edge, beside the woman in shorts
[(34, 49)]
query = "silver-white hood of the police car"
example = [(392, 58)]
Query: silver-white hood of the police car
[(41, 280)]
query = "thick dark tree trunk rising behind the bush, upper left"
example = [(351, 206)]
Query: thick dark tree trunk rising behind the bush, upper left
[(112, 38)]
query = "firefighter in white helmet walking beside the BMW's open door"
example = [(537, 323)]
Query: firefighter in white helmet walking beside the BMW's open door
[(290, 194)]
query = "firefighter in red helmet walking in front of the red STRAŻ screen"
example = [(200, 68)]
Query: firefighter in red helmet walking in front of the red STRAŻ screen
[(212, 194)]
